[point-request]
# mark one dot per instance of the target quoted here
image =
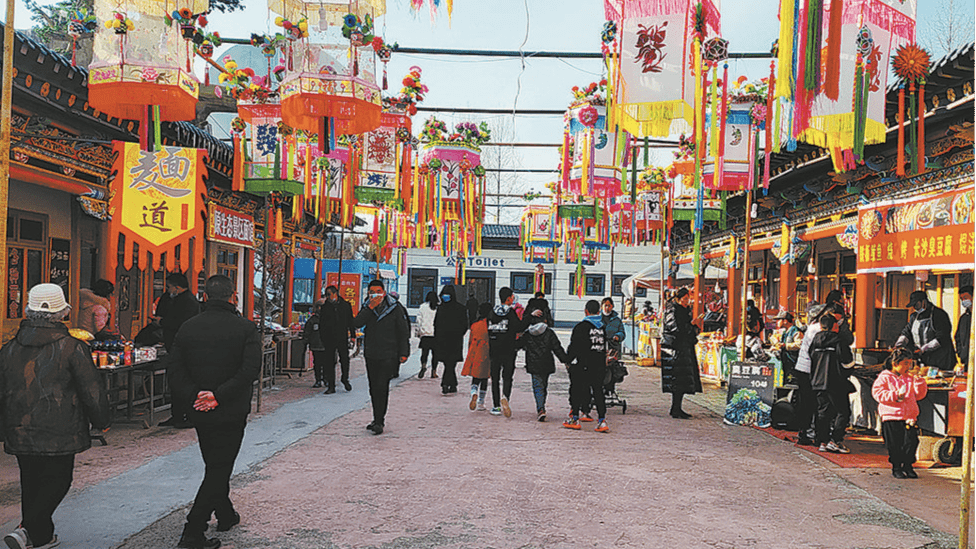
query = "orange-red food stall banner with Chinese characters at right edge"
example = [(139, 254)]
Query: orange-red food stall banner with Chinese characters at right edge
[(932, 232)]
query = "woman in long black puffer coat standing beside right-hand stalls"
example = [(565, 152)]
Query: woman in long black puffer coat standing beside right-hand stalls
[(679, 375)]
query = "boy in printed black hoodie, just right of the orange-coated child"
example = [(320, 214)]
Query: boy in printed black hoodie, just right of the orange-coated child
[(503, 326)]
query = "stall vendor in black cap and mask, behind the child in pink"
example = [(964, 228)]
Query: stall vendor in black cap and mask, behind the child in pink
[(928, 333)]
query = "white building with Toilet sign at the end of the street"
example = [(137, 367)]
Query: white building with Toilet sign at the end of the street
[(500, 264)]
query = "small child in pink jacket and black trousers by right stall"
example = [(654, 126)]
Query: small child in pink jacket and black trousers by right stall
[(898, 390)]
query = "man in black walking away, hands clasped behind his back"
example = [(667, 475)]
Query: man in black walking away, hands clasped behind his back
[(215, 360)]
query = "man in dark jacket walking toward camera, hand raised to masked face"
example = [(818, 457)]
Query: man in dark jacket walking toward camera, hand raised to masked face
[(387, 345)]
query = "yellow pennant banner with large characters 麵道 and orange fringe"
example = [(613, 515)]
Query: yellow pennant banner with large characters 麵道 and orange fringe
[(157, 202)]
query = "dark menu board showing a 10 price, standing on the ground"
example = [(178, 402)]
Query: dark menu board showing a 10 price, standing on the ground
[(751, 394)]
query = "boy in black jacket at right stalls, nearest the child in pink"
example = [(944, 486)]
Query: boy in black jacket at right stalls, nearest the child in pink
[(828, 378)]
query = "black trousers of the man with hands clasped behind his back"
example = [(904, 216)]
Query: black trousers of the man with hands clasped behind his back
[(219, 444)]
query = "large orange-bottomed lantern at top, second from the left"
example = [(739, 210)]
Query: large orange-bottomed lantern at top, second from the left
[(329, 80)]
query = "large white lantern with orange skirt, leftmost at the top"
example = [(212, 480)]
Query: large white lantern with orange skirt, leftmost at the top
[(144, 71)]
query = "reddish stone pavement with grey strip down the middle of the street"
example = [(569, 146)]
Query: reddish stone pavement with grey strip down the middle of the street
[(311, 476)]
